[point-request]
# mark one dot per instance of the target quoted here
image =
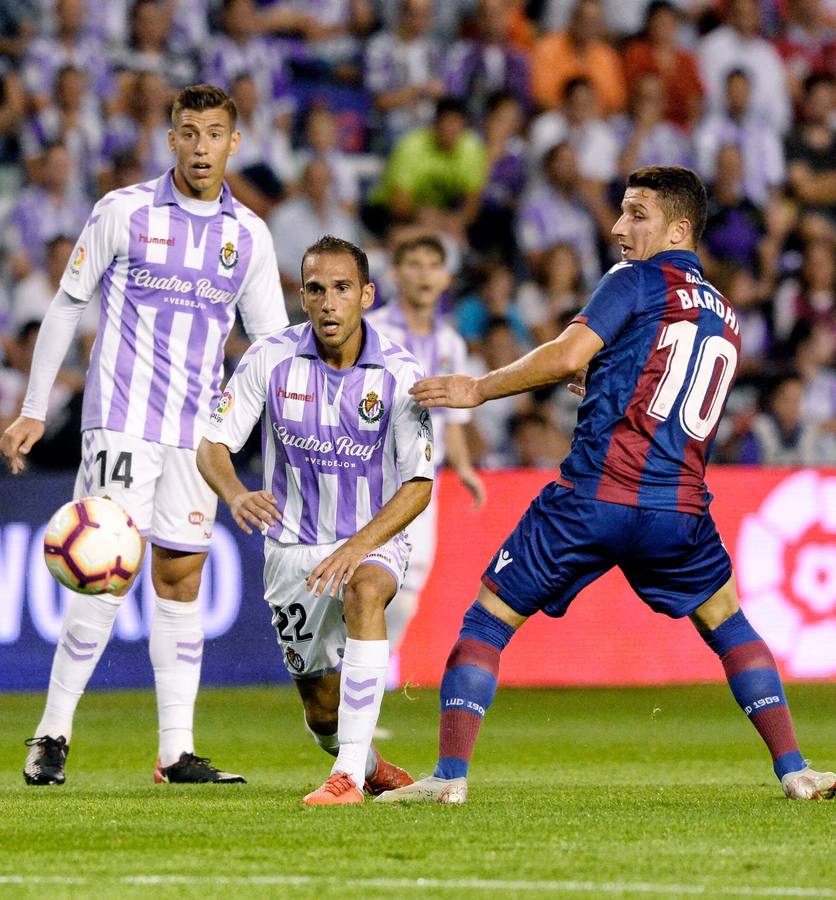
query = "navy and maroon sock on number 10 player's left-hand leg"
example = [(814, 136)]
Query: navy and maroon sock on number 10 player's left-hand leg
[(468, 688)]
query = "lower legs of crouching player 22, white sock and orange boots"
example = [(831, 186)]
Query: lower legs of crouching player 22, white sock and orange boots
[(359, 693)]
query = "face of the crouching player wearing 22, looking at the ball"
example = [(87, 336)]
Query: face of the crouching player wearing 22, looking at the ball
[(334, 300)]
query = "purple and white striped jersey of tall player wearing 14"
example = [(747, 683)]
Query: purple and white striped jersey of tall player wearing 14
[(170, 283)]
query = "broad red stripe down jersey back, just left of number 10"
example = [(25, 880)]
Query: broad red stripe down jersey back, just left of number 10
[(631, 438)]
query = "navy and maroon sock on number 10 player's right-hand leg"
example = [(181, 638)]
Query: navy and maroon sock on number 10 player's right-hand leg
[(756, 685)]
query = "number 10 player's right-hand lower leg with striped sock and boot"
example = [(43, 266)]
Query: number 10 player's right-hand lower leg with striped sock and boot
[(754, 680)]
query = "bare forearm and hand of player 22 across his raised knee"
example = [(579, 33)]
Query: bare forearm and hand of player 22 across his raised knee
[(409, 500)]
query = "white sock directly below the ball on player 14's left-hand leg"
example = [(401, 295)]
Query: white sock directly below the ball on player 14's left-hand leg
[(88, 621)]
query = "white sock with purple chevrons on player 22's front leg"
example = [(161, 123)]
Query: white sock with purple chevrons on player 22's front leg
[(362, 683)]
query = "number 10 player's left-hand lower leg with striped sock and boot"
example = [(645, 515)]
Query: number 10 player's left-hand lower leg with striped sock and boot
[(467, 690)]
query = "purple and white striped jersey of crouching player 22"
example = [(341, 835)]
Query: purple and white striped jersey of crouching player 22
[(337, 444)]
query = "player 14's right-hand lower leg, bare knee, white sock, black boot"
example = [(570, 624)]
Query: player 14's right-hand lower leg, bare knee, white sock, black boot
[(176, 648)]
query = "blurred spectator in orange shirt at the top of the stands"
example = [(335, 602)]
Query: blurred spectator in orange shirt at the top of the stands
[(580, 51)]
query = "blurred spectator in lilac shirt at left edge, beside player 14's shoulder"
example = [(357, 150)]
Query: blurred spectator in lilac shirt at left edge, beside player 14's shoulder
[(55, 205)]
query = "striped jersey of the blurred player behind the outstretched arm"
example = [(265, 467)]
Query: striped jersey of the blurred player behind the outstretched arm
[(442, 352)]
